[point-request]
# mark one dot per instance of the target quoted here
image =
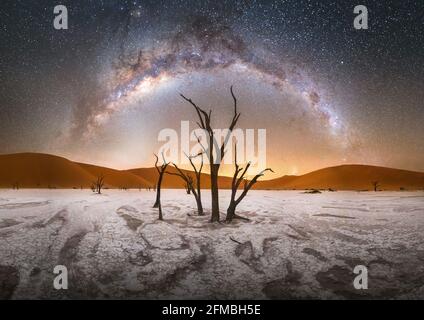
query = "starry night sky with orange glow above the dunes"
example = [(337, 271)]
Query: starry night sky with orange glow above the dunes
[(327, 94)]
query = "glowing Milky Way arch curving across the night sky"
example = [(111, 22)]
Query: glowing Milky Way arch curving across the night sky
[(201, 46)]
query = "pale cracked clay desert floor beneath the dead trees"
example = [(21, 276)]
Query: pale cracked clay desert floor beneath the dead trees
[(295, 246)]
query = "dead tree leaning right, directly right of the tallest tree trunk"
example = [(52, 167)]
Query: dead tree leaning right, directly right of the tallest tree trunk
[(235, 184)]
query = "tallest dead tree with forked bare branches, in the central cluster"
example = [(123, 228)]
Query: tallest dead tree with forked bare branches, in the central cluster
[(213, 146)]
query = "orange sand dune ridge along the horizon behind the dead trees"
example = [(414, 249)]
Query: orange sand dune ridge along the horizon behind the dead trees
[(35, 170)]
